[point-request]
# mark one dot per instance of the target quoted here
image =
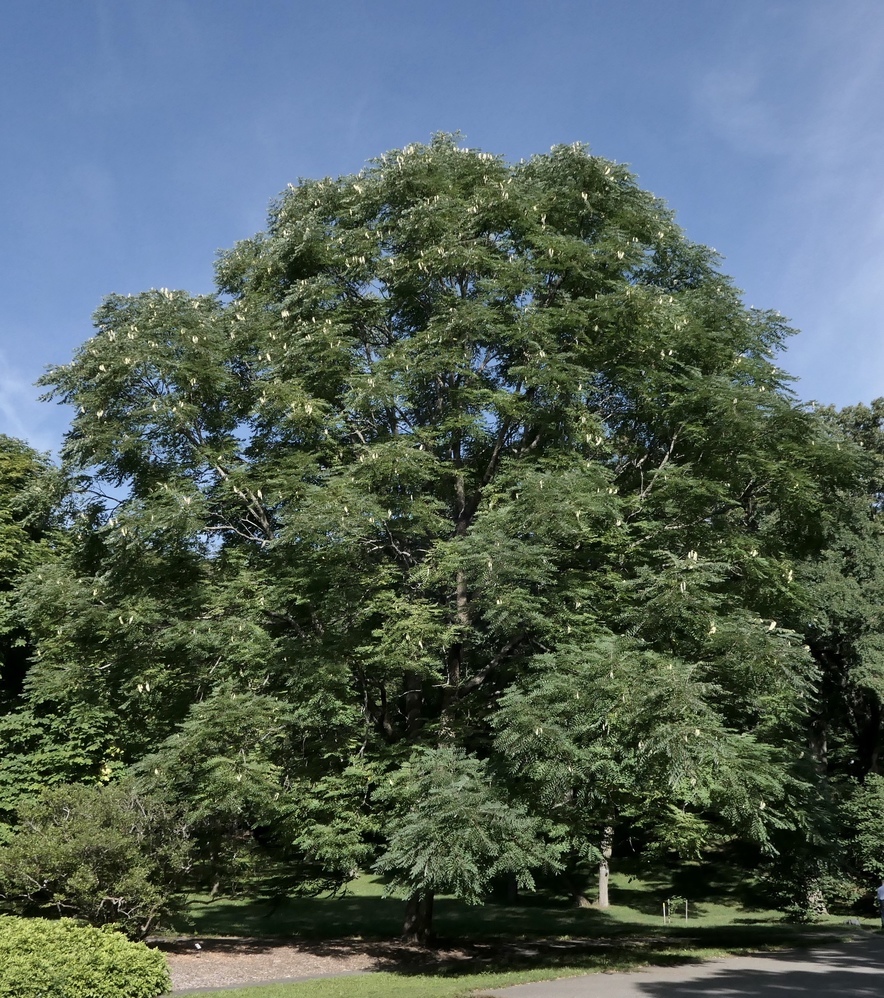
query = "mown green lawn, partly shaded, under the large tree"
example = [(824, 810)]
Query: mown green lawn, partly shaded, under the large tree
[(722, 918)]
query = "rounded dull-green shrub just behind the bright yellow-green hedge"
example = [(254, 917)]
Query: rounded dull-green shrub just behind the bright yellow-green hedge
[(102, 854)]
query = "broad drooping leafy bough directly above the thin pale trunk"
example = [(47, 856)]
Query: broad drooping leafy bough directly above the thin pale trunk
[(607, 730)]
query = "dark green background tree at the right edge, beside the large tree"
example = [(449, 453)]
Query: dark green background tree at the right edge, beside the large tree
[(844, 629)]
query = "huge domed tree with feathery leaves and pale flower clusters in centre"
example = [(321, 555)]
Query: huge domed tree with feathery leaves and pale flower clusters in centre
[(447, 426)]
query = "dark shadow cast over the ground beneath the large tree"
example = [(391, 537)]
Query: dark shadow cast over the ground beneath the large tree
[(496, 935)]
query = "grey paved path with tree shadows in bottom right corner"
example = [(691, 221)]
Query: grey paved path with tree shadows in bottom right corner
[(848, 970)]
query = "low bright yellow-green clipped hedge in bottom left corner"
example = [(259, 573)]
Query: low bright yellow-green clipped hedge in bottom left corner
[(40, 958)]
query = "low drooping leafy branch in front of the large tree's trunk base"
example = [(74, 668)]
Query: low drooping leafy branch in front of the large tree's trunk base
[(451, 831)]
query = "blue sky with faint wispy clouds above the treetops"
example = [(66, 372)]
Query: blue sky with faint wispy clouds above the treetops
[(141, 136)]
